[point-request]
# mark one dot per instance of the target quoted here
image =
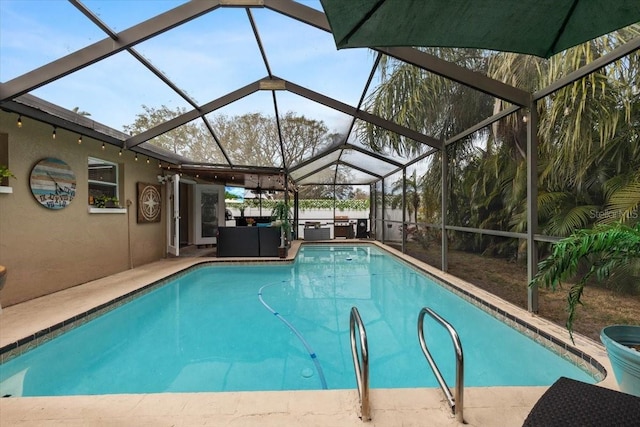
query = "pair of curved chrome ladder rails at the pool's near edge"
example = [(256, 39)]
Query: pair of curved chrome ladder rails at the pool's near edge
[(362, 367)]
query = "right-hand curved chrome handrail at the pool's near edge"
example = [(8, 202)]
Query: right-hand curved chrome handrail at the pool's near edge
[(457, 402)]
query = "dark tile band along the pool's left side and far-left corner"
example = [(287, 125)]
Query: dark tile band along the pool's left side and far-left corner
[(11, 350)]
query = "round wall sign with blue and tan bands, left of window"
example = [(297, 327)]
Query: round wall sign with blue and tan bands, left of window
[(53, 183)]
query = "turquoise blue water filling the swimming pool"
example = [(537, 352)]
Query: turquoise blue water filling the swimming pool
[(285, 327)]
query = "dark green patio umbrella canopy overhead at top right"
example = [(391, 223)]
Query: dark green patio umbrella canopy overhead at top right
[(536, 27)]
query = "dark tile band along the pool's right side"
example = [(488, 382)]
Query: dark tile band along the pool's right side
[(565, 350)]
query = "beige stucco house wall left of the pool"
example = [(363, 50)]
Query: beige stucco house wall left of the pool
[(47, 250)]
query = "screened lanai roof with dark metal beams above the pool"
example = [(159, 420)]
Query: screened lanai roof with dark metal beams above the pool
[(217, 57)]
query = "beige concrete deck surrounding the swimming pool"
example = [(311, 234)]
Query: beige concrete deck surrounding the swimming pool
[(483, 406)]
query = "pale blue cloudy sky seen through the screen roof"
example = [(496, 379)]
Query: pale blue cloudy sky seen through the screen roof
[(207, 58)]
